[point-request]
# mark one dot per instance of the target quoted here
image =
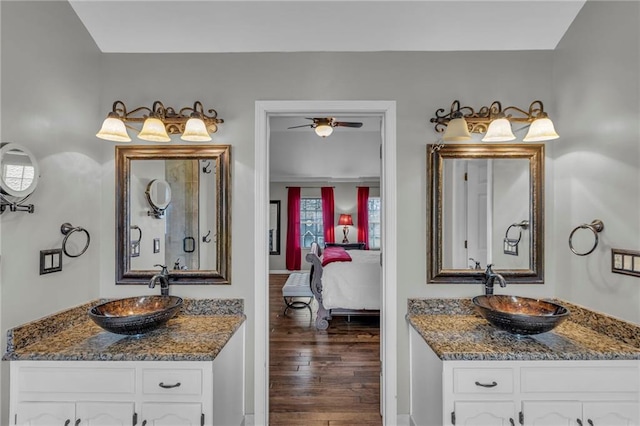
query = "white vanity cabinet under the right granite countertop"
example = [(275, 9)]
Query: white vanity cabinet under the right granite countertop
[(526, 392)]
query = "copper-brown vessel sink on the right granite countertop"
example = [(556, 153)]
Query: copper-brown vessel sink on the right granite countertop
[(520, 315)]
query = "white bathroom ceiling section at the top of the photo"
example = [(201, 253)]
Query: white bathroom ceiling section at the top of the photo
[(306, 25)]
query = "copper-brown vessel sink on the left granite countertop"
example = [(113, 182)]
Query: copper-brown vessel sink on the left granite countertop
[(135, 315)]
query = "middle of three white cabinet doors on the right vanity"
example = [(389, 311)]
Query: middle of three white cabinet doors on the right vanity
[(551, 413)]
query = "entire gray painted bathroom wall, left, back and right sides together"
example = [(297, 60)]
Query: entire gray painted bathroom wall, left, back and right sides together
[(57, 89)]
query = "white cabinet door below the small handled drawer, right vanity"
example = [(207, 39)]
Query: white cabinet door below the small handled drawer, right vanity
[(485, 413)]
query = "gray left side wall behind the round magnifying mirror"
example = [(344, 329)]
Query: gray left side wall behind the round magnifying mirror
[(50, 92)]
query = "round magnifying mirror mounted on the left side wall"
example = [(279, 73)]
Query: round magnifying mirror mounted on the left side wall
[(18, 178)]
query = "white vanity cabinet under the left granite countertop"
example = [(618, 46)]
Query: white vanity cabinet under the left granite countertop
[(149, 393)]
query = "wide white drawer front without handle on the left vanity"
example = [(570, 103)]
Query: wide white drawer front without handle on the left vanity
[(77, 380)]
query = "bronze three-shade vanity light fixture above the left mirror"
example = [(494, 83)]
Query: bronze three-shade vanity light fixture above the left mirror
[(192, 123)]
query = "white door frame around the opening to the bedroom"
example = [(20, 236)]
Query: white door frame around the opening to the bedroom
[(388, 314)]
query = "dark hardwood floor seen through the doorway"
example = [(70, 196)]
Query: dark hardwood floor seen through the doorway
[(321, 378)]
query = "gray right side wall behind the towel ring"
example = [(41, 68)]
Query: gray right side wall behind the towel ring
[(596, 72)]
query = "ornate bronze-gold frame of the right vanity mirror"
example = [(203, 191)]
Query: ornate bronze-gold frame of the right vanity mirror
[(436, 154)]
